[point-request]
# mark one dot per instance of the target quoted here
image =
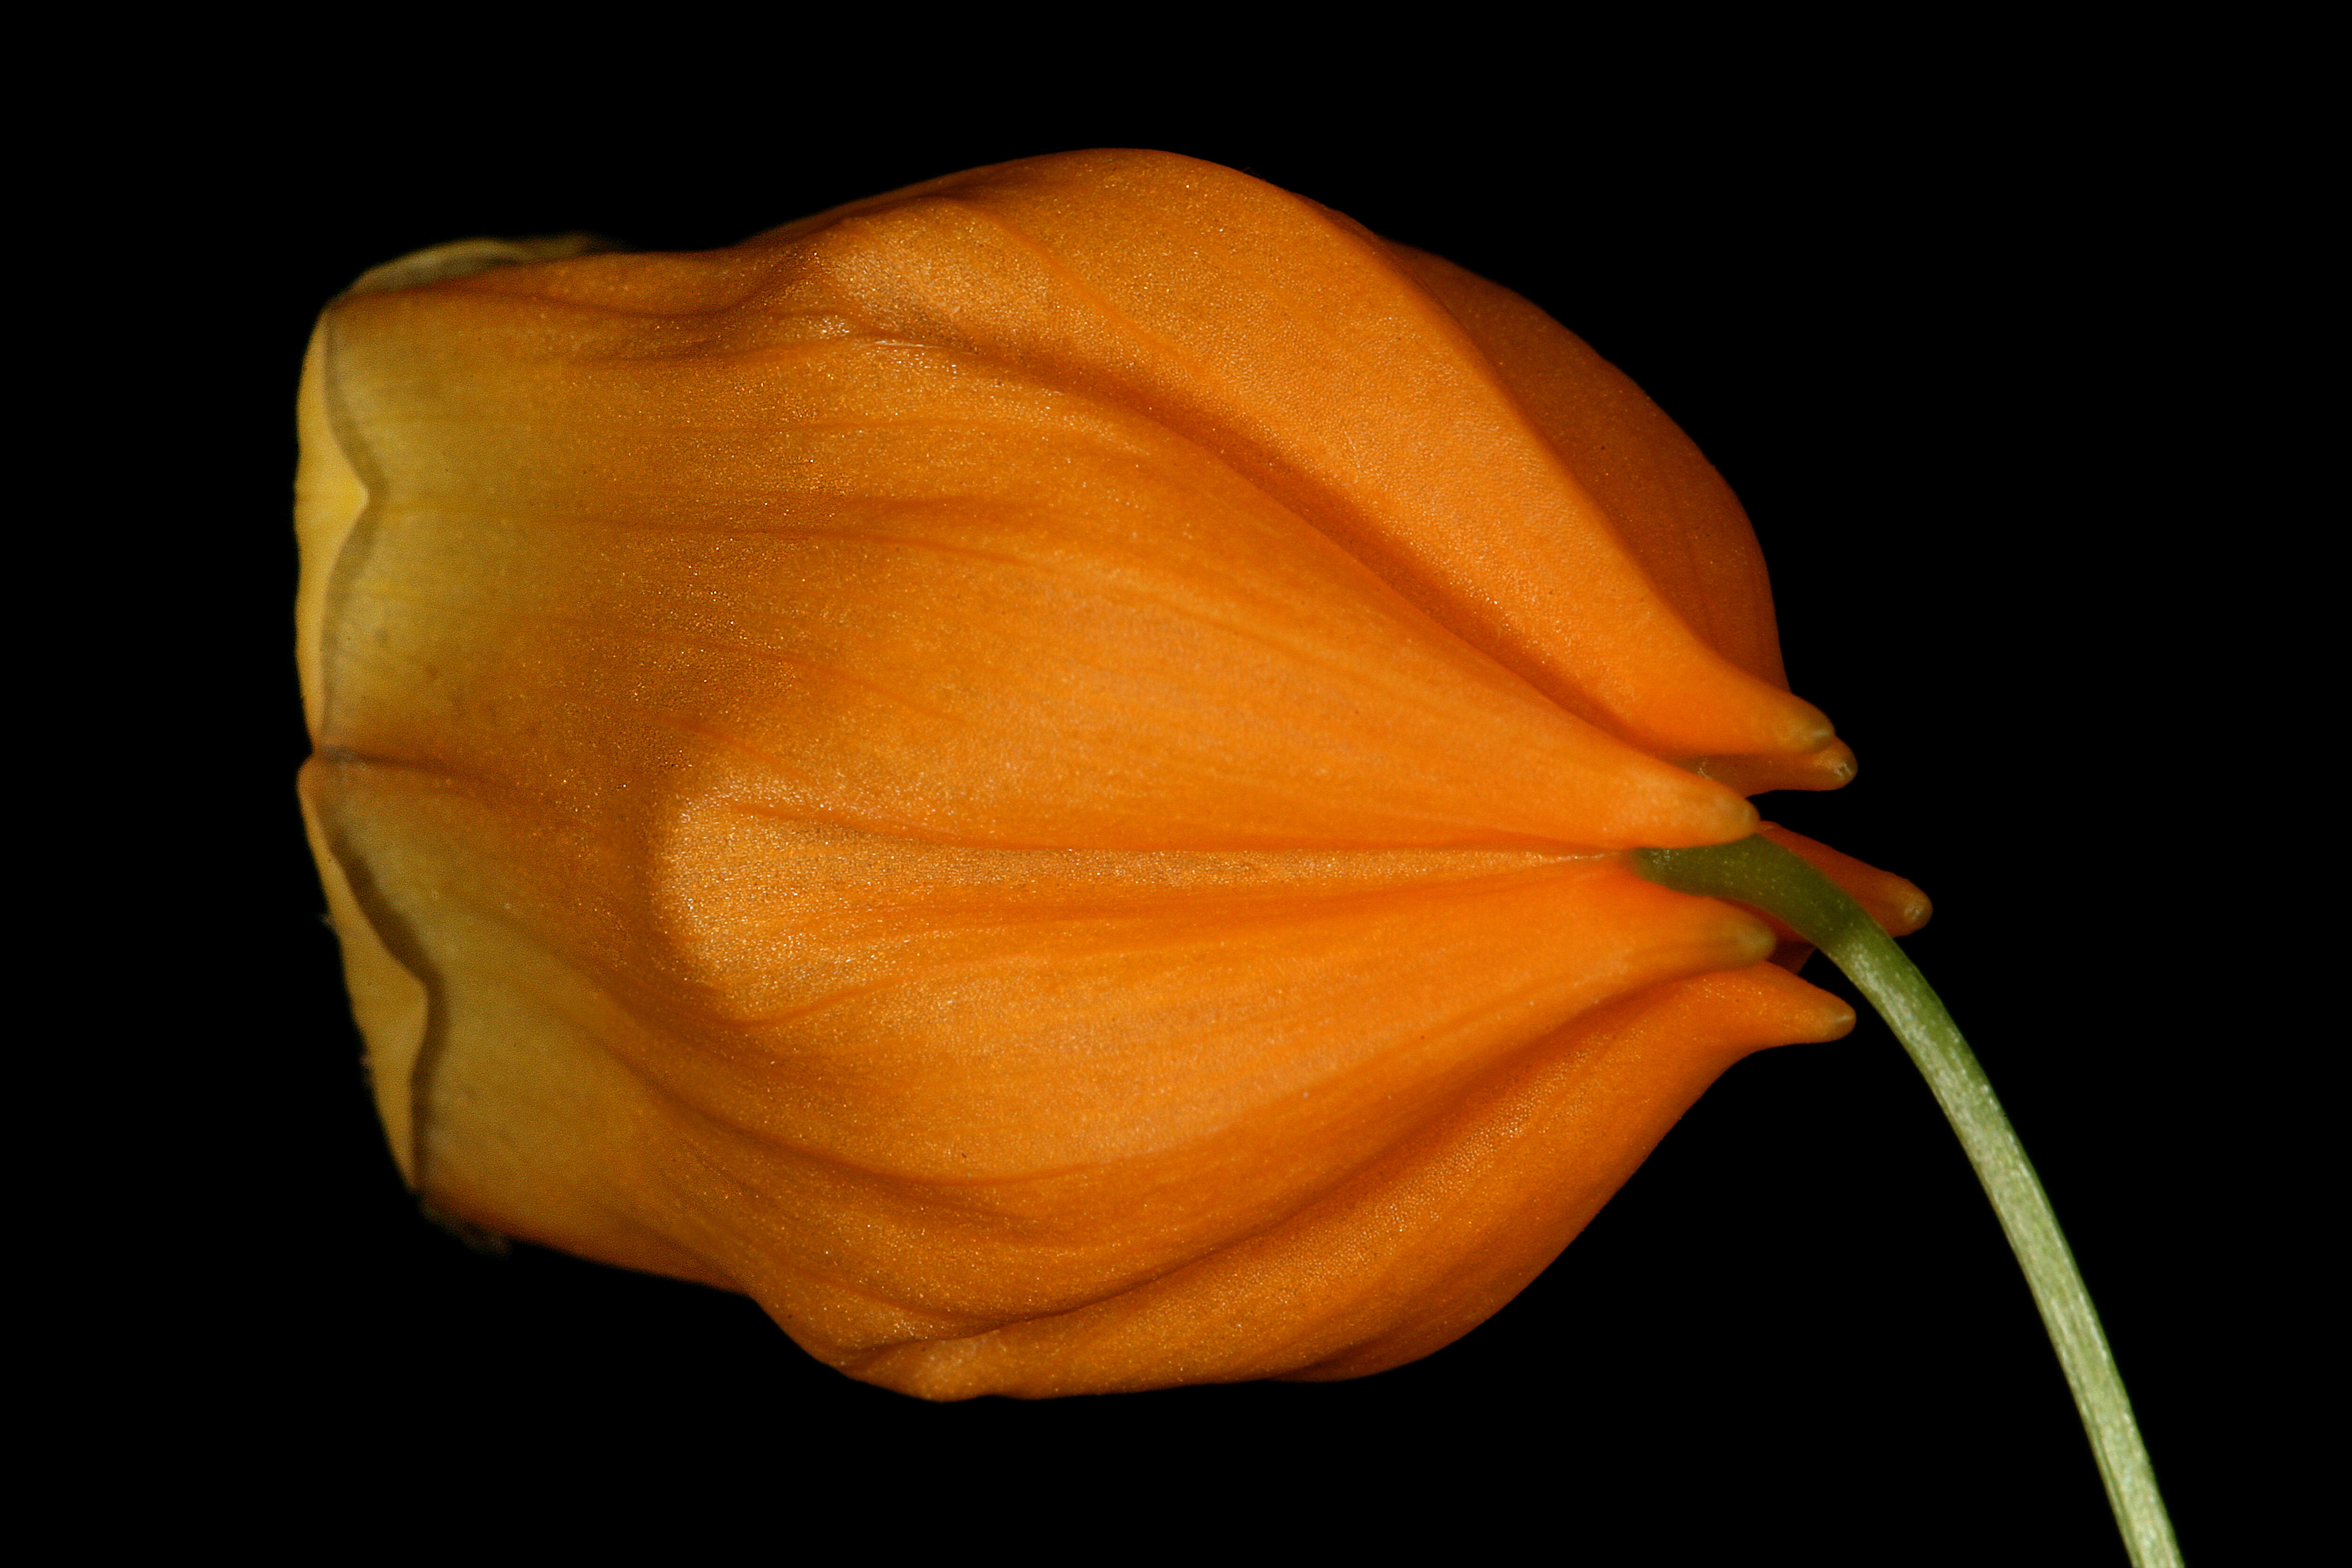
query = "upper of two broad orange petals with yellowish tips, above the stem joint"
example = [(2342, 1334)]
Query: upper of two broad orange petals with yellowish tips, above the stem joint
[(841, 568)]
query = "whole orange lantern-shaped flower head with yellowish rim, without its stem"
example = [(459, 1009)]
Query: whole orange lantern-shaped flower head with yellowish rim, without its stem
[(1034, 772)]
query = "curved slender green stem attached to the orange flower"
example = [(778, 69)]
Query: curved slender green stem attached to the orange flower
[(1768, 878)]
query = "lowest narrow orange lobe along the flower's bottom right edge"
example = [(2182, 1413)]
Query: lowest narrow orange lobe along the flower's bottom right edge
[(1424, 1245)]
